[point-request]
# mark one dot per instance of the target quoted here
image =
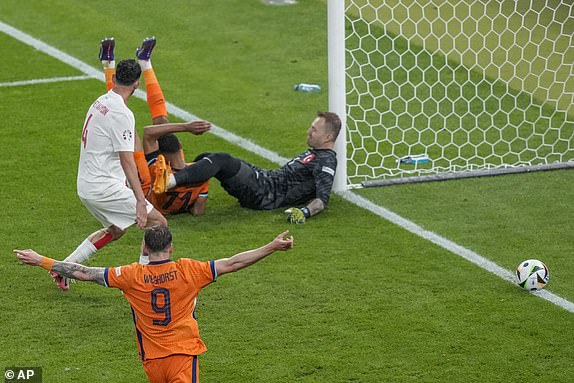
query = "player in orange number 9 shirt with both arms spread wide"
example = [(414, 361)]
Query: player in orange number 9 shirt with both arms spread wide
[(163, 296)]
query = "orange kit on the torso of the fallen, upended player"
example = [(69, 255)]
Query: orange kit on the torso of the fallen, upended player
[(177, 200)]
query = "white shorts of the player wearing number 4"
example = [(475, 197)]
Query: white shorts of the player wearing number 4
[(118, 210)]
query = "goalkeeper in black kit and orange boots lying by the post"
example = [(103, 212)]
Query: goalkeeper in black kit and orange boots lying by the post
[(305, 181)]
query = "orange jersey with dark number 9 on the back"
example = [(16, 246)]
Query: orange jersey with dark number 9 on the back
[(163, 296)]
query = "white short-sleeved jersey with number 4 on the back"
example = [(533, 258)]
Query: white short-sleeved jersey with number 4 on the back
[(109, 128)]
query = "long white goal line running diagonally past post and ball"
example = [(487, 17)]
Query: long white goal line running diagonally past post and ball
[(356, 199)]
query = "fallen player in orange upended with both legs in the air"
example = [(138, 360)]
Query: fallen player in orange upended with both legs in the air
[(160, 144)]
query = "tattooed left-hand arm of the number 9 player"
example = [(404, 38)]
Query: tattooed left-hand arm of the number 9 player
[(66, 269)]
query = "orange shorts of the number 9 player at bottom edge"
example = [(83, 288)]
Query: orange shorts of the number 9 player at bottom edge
[(172, 369)]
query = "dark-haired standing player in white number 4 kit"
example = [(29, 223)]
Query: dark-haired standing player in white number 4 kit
[(107, 167)]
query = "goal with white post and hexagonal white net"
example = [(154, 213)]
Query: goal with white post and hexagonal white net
[(432, 90)]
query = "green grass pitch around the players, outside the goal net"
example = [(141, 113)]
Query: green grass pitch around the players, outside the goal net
[(358, 299)]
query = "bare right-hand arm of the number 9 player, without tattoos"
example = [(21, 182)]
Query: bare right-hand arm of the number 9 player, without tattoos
[(282, 242)]
